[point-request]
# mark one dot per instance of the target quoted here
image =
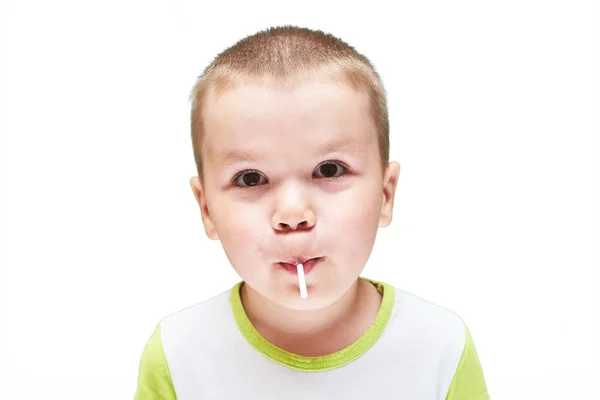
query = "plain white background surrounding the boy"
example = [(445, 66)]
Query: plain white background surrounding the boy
[(493, 111)]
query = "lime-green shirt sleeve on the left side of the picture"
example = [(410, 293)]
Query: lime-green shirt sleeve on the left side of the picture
[(154, 378)]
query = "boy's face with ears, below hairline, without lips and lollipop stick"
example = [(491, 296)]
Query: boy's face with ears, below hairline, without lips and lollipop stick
[(294, 173)]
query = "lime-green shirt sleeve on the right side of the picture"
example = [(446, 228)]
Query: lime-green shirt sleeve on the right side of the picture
[(468, 382)]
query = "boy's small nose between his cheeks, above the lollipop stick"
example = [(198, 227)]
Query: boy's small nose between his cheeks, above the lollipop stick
[(292, 211)]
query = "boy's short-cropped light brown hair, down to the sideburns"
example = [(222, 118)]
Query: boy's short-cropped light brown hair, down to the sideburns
[(283, 55)]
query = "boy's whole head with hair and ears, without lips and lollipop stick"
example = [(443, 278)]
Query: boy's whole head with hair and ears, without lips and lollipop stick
[(291, 142)]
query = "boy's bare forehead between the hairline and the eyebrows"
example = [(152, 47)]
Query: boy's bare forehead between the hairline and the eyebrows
[(311, 116)]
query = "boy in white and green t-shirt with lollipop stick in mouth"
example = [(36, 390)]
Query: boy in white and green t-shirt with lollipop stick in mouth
[(291, 142)]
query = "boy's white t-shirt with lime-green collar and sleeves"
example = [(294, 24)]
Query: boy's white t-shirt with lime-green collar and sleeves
[(414, 350)]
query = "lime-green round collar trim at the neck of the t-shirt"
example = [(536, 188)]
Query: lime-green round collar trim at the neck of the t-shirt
[(321, 363)]
